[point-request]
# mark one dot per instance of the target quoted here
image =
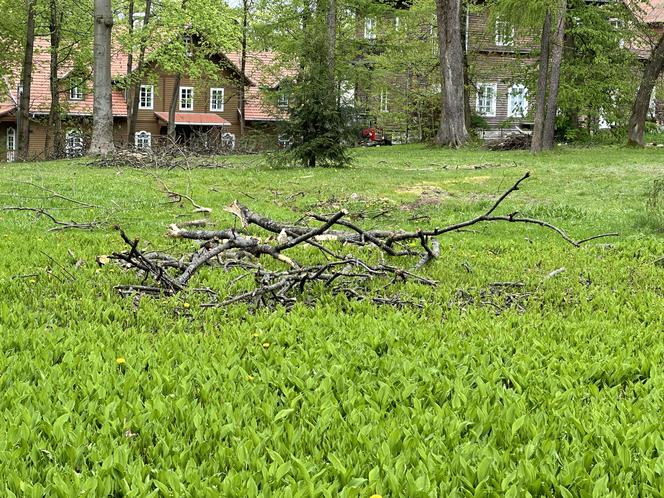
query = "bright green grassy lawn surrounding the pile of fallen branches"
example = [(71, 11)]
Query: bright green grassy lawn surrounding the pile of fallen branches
[(554, 389)]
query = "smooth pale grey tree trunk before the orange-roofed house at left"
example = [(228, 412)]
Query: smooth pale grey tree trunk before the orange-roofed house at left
[(102, 114)]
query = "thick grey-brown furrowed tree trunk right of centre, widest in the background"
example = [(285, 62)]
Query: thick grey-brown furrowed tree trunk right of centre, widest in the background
[(452, 130)]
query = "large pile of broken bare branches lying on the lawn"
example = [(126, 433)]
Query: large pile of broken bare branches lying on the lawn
[(348, 274)]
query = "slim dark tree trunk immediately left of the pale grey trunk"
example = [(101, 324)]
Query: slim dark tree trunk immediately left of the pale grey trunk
[(53, 146)]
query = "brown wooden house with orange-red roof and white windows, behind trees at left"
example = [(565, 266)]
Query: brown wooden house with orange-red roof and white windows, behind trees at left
[(207, 109)]
